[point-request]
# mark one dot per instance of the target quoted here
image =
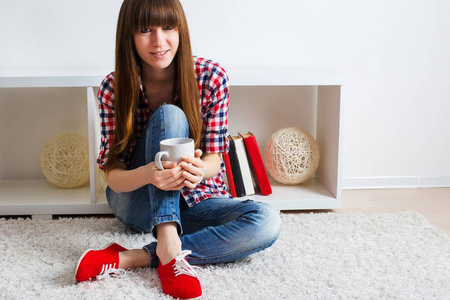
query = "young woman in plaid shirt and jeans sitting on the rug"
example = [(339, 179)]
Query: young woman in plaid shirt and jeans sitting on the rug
[(160, 91)]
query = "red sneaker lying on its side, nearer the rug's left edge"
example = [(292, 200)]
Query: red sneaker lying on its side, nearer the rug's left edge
[(95, 264)]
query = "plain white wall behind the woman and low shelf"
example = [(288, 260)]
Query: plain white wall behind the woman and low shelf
[(394, 54)]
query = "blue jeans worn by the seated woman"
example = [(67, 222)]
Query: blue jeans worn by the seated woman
[(215, 230)]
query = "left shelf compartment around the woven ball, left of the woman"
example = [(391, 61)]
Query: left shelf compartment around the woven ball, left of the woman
[(29, 117)]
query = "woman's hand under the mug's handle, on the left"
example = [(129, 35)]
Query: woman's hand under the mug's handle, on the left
[(169, 179)]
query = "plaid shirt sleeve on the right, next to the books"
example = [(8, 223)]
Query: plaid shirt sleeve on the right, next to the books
[(215, 102)]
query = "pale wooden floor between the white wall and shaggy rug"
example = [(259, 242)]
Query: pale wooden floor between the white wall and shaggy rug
[(433, 203)]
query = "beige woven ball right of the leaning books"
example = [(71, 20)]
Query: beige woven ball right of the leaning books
[(292, 155)]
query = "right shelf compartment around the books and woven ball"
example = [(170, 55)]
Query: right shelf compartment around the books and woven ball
[(264, 110)]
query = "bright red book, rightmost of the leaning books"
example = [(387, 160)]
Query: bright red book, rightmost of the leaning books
[(260, 174)]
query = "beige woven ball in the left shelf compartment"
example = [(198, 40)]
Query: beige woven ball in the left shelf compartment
[(65, 160)]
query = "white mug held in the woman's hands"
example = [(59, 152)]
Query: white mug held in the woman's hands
[(174, 150)]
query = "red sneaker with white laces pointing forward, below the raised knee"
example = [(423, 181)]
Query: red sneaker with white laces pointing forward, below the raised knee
[(178, 278)]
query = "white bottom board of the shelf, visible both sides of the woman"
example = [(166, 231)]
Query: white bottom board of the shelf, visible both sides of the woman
[(41, 197)]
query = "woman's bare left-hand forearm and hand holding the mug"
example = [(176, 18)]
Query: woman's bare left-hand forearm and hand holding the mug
[(121, 180)]
